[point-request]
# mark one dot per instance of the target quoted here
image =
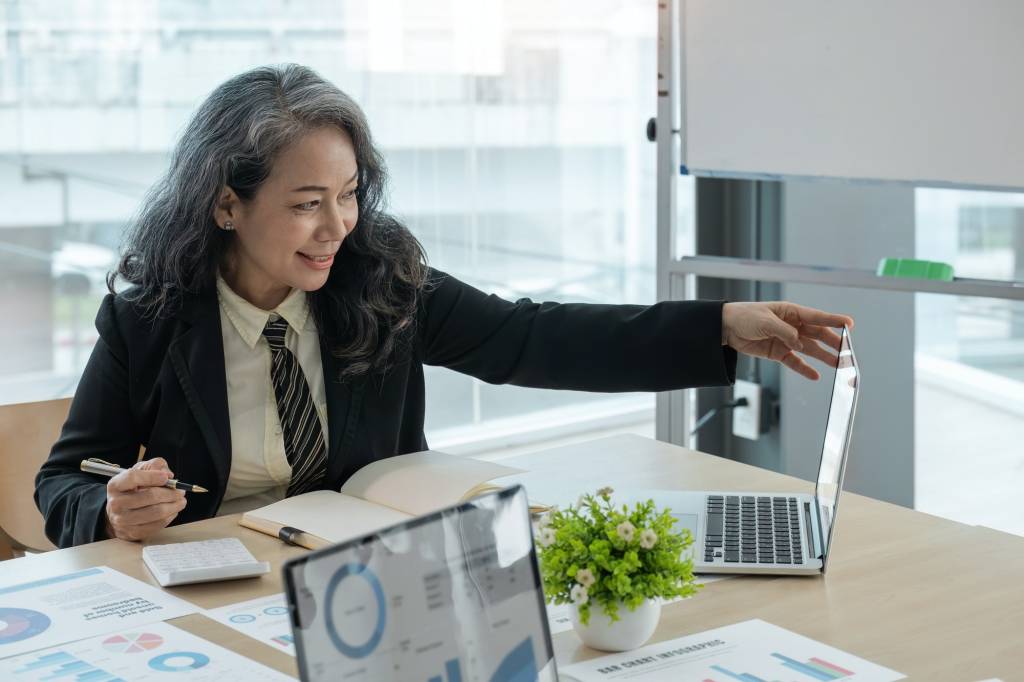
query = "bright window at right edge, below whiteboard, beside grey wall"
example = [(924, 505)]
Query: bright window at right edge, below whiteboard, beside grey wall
[(970, 362)]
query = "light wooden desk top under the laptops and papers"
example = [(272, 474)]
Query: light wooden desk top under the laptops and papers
[(931, 599)]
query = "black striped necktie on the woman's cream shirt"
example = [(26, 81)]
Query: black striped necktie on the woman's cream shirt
[(300, 421)]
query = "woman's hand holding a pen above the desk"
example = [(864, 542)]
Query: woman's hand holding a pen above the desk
[(138, 503)]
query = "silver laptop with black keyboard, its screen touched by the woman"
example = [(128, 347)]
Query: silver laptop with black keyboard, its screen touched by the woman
[(776, 533)]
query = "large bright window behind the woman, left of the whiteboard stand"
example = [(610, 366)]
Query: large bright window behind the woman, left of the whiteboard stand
[(515, 133)]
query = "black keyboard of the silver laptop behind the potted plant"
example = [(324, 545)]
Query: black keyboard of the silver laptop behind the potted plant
[(753, 530)]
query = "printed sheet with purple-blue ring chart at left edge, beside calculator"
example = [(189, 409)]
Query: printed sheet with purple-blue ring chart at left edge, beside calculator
[(71, 607)]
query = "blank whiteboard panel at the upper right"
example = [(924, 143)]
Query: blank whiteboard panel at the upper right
[(926, 92)]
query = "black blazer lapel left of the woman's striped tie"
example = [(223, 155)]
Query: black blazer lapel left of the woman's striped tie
[(198, 357)]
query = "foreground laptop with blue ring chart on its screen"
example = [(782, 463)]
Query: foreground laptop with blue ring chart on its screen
[(452, 596)]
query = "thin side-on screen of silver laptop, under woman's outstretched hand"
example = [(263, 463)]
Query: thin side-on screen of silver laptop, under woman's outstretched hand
[(837, 443)]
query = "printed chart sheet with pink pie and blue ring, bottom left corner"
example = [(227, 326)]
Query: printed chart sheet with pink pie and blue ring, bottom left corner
[(141, 655)]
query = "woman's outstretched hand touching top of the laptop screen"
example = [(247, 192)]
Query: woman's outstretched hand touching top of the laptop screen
[(779, 330)]
